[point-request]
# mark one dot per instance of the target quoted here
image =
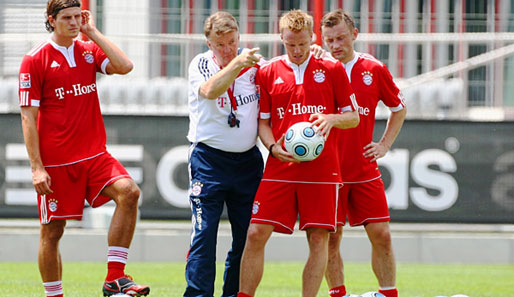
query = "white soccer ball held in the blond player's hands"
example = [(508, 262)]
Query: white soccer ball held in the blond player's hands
[(303, 142)]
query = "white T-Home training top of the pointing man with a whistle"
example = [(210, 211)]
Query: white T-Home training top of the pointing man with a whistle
[(208, 118)]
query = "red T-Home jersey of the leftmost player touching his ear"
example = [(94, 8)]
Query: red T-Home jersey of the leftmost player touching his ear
[(62, 83)]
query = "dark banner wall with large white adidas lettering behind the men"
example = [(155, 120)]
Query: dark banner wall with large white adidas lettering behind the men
[(437, 171)]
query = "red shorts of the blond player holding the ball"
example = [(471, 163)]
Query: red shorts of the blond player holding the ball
[(280, 203)]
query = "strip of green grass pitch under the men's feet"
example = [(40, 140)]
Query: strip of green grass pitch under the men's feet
[(280, 279)]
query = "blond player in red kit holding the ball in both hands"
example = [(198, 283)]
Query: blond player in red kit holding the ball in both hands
[(294, 88)]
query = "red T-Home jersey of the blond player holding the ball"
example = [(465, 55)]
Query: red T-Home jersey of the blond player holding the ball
[(289, 94)]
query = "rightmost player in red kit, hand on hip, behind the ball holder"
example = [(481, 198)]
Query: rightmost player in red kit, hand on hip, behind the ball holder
[(363, 198)]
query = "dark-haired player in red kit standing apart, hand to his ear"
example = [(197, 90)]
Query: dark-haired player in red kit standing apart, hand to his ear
[(65, 140)]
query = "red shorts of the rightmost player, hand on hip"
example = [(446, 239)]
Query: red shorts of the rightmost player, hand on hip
[(363, 203)]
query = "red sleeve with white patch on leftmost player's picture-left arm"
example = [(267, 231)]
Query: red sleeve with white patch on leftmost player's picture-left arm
[(30, 82)]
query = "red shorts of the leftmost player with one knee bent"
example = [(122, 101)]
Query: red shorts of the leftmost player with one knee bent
[(72, 184)]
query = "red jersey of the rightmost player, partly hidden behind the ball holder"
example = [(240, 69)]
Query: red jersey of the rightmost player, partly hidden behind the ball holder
[(371, 81)]
